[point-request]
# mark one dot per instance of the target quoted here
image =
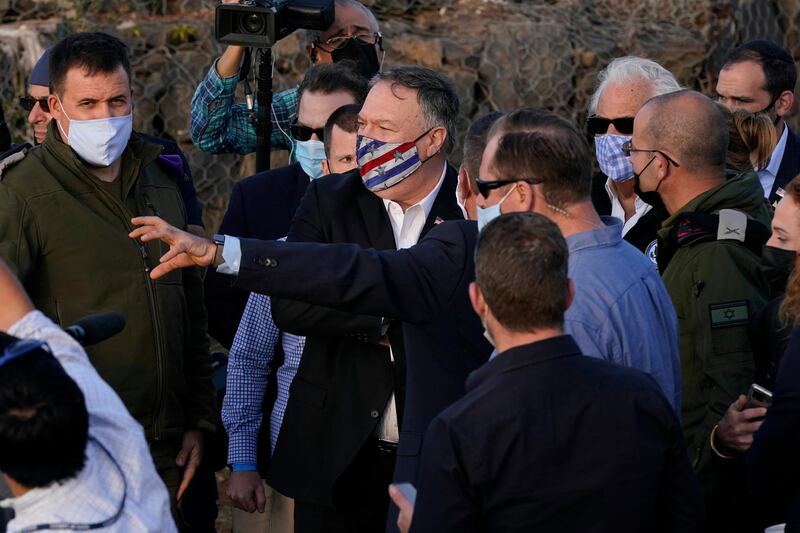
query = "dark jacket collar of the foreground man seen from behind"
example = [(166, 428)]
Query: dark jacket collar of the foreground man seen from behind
[(525, 355)]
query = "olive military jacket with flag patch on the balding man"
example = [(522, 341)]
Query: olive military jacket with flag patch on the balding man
[(716, 290)]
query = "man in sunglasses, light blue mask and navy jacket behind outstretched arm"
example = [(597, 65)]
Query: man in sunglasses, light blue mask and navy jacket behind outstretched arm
[(262, 206)]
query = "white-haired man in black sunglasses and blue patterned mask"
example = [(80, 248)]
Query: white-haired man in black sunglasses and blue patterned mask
[(622, 89)]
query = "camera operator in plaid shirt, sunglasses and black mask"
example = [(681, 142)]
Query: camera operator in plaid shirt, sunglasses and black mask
[(221, 126)]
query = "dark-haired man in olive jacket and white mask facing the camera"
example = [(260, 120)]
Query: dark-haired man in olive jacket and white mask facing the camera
[(65, 212)]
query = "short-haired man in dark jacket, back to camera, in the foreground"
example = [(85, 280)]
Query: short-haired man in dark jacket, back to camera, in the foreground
[(546, 439)]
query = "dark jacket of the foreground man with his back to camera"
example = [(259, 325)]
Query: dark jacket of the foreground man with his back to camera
[(546, 439)]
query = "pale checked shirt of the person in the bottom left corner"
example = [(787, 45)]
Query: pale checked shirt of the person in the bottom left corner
[(97, 492)]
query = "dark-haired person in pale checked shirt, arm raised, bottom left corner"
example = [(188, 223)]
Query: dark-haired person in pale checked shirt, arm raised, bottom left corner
[(72, 455)]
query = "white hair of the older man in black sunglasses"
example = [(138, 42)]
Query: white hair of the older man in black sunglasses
[(632, 69)]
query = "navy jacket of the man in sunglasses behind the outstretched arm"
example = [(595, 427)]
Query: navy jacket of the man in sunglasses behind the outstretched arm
[(261, 207)]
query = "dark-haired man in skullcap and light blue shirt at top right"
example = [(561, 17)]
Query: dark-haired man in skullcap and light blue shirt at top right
[(760, 76)]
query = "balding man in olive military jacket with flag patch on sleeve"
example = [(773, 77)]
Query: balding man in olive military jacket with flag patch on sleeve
[(708, 254)]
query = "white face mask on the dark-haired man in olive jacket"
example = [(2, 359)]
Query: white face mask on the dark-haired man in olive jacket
[(99, 142)]
